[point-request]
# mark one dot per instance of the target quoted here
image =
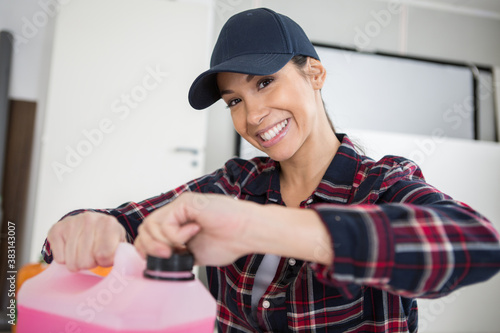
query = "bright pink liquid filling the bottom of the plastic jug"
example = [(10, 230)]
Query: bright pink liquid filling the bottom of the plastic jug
[(43, 322)]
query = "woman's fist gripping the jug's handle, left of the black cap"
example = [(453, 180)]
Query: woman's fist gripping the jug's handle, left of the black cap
[(86, 240)]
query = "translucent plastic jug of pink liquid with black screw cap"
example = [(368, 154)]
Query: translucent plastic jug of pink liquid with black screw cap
[(164, 297)]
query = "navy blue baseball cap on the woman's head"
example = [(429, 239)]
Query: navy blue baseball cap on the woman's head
[(256, 42)]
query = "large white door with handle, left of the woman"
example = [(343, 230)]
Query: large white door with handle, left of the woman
[(117, 105)]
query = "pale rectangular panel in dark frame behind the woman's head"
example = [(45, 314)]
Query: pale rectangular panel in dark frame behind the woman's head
[(373, 92)]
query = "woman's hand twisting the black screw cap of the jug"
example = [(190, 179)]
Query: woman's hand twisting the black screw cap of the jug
[(212, 226)]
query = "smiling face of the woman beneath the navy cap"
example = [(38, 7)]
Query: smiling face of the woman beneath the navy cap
[(279, 114)]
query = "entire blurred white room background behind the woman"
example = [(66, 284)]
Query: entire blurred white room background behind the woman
[(94, 111)]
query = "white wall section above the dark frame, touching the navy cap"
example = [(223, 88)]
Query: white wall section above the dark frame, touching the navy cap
[(361, 24)]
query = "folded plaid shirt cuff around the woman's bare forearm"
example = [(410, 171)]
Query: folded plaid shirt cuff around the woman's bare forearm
[(362, 246)]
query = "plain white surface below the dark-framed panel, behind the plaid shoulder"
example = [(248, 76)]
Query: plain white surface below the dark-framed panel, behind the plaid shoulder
[(468, 171)]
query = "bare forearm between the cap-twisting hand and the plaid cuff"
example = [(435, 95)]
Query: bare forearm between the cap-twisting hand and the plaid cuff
[(289, 232)]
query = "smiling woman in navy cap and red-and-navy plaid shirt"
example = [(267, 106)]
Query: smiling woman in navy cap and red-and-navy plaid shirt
[(373, 237)]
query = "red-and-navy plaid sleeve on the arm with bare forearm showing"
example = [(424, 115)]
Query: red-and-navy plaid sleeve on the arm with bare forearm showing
[(411, 250)]
